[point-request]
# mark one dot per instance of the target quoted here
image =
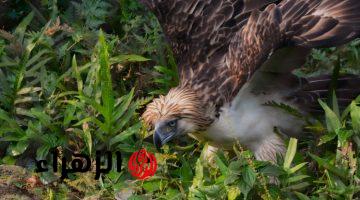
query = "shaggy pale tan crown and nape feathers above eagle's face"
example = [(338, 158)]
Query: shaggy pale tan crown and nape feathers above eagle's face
[(180, 103)]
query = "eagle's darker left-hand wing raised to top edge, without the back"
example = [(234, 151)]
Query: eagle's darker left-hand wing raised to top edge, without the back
[(199, 30)]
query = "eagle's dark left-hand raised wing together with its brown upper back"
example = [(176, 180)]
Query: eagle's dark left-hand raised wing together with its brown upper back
[(200, 32)]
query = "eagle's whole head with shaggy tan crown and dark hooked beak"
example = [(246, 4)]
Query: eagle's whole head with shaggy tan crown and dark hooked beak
[(178, 113)]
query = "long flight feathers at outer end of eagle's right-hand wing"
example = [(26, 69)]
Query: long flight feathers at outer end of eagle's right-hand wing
[(320, 23)]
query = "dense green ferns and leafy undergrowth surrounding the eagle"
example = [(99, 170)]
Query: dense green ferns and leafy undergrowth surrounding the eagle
[(75, 75)]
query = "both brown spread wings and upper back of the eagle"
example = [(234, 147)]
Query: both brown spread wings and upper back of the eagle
[(218, 47)]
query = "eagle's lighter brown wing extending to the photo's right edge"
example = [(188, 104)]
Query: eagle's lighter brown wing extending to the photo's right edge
[(302, 23)]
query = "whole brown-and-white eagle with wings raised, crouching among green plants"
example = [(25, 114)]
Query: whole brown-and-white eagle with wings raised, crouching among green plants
[(234, 56)]
